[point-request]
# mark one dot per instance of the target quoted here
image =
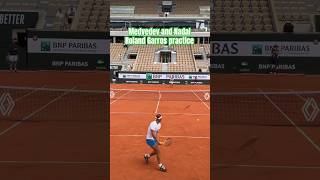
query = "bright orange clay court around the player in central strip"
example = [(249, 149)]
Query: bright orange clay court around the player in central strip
[(186, 121)]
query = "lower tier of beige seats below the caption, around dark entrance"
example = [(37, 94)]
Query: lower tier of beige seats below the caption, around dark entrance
[(145, 59)]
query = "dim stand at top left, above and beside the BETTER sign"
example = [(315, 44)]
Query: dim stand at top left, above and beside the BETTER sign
[(91, 15)]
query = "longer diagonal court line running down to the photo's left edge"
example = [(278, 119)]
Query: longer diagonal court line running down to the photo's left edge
[(35, 112)]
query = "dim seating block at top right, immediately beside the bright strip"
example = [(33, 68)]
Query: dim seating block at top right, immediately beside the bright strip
[(241, 16)]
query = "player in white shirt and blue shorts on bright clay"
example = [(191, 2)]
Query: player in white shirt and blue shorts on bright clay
[(153, 141)]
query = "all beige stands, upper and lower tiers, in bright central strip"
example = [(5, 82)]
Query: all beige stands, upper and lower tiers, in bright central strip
[(146, 54)]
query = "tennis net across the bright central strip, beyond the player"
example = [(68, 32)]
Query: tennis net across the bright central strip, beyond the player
[(162, 95)]
